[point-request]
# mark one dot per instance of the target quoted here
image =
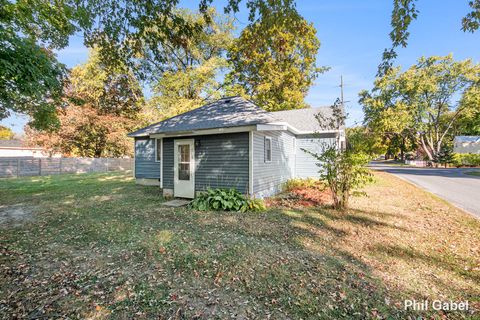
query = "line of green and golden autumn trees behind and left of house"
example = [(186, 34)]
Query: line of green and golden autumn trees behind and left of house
[(184, 58)]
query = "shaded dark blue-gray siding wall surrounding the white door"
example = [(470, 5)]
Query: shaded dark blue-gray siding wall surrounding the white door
[(221, 161)]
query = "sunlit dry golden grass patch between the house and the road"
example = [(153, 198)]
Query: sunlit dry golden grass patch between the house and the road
[(418, 245)]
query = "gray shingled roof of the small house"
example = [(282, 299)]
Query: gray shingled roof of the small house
[(233, 112)]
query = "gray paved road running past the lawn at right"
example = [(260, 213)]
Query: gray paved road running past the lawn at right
[(450, 184)]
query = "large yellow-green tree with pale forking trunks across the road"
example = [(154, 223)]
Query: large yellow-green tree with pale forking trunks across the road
[(425, 102)]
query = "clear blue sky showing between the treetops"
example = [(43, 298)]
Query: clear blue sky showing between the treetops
[(353, 34)]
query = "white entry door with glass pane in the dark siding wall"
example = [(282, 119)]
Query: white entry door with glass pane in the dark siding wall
[(184, 168)]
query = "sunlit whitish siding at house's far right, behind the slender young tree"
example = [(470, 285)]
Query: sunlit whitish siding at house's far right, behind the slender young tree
[(306, 164)]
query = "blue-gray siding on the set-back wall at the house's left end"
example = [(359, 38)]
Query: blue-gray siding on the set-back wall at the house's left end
[(145, 164)]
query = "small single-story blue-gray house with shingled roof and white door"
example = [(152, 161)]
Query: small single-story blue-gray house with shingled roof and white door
[(230, 143)]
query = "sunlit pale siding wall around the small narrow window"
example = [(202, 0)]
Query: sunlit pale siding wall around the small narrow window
[(268, 177)]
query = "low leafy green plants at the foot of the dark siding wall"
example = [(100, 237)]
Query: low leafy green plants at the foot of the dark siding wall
[(226, 200)]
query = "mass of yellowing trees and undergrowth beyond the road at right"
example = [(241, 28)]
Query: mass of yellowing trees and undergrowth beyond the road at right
[(420, 109)]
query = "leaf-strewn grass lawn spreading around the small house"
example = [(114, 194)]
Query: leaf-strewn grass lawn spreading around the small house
[(99, 246)]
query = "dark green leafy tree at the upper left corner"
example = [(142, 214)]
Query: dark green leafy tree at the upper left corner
[(31, 78)]
